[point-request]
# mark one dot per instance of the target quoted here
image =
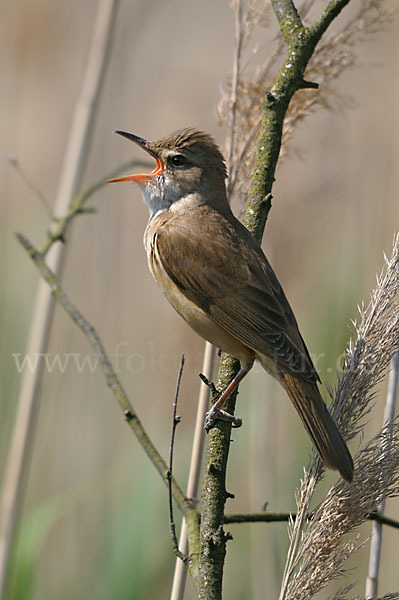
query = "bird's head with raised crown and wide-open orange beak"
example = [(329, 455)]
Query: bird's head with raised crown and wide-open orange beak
[(188, 164)]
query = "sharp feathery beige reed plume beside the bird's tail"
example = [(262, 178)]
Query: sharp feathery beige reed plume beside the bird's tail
[(317, 549)]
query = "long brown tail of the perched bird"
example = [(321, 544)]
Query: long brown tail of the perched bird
[(319, 424)]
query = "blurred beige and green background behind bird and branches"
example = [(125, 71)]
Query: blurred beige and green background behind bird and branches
[(95, 519)]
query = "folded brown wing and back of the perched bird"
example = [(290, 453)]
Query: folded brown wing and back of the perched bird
[(238, 287)]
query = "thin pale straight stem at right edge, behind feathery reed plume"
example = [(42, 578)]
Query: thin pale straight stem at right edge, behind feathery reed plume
[(376, 535)]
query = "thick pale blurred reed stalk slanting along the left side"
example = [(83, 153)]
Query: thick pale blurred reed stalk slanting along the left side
[(42, 316)]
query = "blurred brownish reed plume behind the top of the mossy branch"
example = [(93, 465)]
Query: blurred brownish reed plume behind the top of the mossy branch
[(243, 94)]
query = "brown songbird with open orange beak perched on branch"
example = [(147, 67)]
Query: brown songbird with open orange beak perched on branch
[(216, 276)]
